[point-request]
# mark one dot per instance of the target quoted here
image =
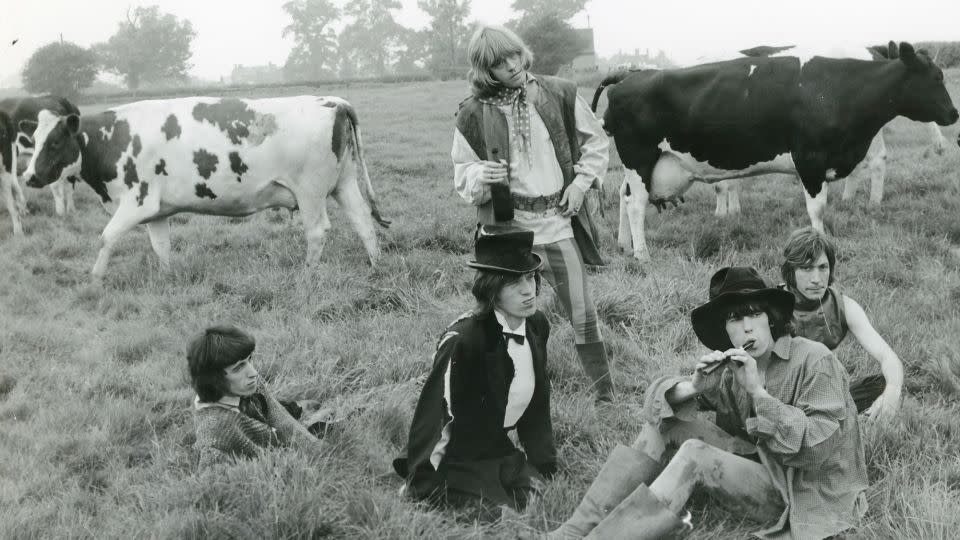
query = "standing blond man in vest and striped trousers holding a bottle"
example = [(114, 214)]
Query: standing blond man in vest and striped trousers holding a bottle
[(525, 150)]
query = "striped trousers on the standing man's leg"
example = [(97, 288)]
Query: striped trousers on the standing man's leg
[(563, 268)]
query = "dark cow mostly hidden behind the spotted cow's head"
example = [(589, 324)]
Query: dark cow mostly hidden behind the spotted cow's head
[(24, 111)]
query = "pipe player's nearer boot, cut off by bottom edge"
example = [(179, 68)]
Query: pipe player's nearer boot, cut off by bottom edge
[(641, 516)]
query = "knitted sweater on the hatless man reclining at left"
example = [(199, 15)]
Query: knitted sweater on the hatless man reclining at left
[(224, 432)]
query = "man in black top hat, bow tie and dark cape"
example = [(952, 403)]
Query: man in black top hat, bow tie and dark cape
[(481, 436)]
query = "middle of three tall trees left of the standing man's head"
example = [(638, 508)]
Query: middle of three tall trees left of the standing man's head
[(370, 43)]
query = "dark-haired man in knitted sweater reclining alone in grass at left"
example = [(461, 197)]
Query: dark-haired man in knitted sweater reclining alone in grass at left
[(235, 415)]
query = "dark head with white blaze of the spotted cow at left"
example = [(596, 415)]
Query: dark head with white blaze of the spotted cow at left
[(56, 148)]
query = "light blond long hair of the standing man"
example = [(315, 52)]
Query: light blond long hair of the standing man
[(489, 46)]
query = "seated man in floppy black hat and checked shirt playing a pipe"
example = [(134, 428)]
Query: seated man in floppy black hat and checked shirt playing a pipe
[(785, 450)]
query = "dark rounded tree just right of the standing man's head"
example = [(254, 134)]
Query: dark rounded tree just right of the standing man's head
[(554, 43)]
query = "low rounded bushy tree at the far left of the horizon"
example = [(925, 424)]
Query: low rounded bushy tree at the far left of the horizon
[(65, 69)]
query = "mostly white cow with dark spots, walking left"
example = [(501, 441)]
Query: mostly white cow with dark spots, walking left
[(229, 157)]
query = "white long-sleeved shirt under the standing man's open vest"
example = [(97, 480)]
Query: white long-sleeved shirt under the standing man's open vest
[(537, 174)]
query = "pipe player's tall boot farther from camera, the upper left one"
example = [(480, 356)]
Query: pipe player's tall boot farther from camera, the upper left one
[(625, 469)]
